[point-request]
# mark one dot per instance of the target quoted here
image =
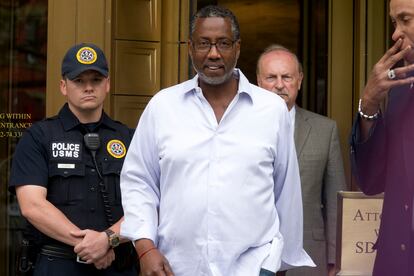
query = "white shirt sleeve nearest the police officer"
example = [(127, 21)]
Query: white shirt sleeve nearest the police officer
[(140, 182)]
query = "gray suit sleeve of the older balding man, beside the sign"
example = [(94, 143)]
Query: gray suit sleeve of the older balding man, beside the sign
[(334, 181)]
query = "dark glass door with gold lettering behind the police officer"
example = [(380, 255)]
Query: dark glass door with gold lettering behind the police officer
[(23, 45)]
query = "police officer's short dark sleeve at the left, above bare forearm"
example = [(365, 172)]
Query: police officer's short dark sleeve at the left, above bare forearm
[(30, 163)]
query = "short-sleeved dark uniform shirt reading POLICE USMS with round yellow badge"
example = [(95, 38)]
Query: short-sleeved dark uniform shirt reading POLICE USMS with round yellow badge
[(52, 154)]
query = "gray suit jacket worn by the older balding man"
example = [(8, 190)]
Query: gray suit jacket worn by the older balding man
[(322, 175)]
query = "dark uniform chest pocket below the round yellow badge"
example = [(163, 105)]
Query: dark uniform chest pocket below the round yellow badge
[(111, 171)]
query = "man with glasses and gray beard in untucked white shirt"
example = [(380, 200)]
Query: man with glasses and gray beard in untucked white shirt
[(210, 185)]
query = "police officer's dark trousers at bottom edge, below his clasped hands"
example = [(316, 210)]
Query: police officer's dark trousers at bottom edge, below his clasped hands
[(51, 266)]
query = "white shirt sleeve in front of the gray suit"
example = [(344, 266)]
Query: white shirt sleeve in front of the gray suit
[(288, 198)]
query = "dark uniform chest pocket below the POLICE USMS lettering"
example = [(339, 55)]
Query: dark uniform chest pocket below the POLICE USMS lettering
[(67, 183)]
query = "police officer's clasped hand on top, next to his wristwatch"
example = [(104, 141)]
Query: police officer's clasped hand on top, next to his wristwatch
[(93, 247)]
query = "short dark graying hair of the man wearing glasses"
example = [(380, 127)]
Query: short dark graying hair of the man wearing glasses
[(216, 11)]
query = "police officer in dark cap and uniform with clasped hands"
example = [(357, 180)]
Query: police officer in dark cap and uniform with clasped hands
[(65, 174)]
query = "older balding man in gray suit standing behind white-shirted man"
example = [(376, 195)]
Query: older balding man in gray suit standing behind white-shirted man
[(319, 156)]
